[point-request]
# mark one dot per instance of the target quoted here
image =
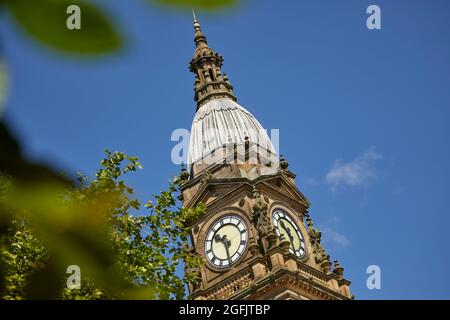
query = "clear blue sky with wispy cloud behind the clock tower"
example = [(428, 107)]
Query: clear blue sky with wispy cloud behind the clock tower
[(363, 115)]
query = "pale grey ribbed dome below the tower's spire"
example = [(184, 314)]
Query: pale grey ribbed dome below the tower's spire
[(222, 121)]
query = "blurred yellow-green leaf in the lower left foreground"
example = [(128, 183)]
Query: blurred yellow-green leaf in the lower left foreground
[(72, 234)]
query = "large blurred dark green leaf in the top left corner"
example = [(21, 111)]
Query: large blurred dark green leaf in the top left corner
[(46, 20)]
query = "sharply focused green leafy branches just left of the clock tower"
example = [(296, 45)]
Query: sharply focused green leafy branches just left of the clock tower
[(149, 247)]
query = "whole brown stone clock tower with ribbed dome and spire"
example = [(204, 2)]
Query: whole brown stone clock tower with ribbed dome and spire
[(257, 238)]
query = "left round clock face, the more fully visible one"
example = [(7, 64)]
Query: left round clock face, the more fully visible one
[(226, 241)]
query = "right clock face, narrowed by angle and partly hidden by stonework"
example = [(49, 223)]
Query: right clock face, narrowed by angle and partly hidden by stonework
[(285, 225)]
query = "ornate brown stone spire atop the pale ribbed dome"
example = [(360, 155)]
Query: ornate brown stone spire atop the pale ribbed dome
[(210, 82)]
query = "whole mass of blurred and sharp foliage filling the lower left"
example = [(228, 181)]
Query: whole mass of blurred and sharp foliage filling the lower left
[(147, 248)]
